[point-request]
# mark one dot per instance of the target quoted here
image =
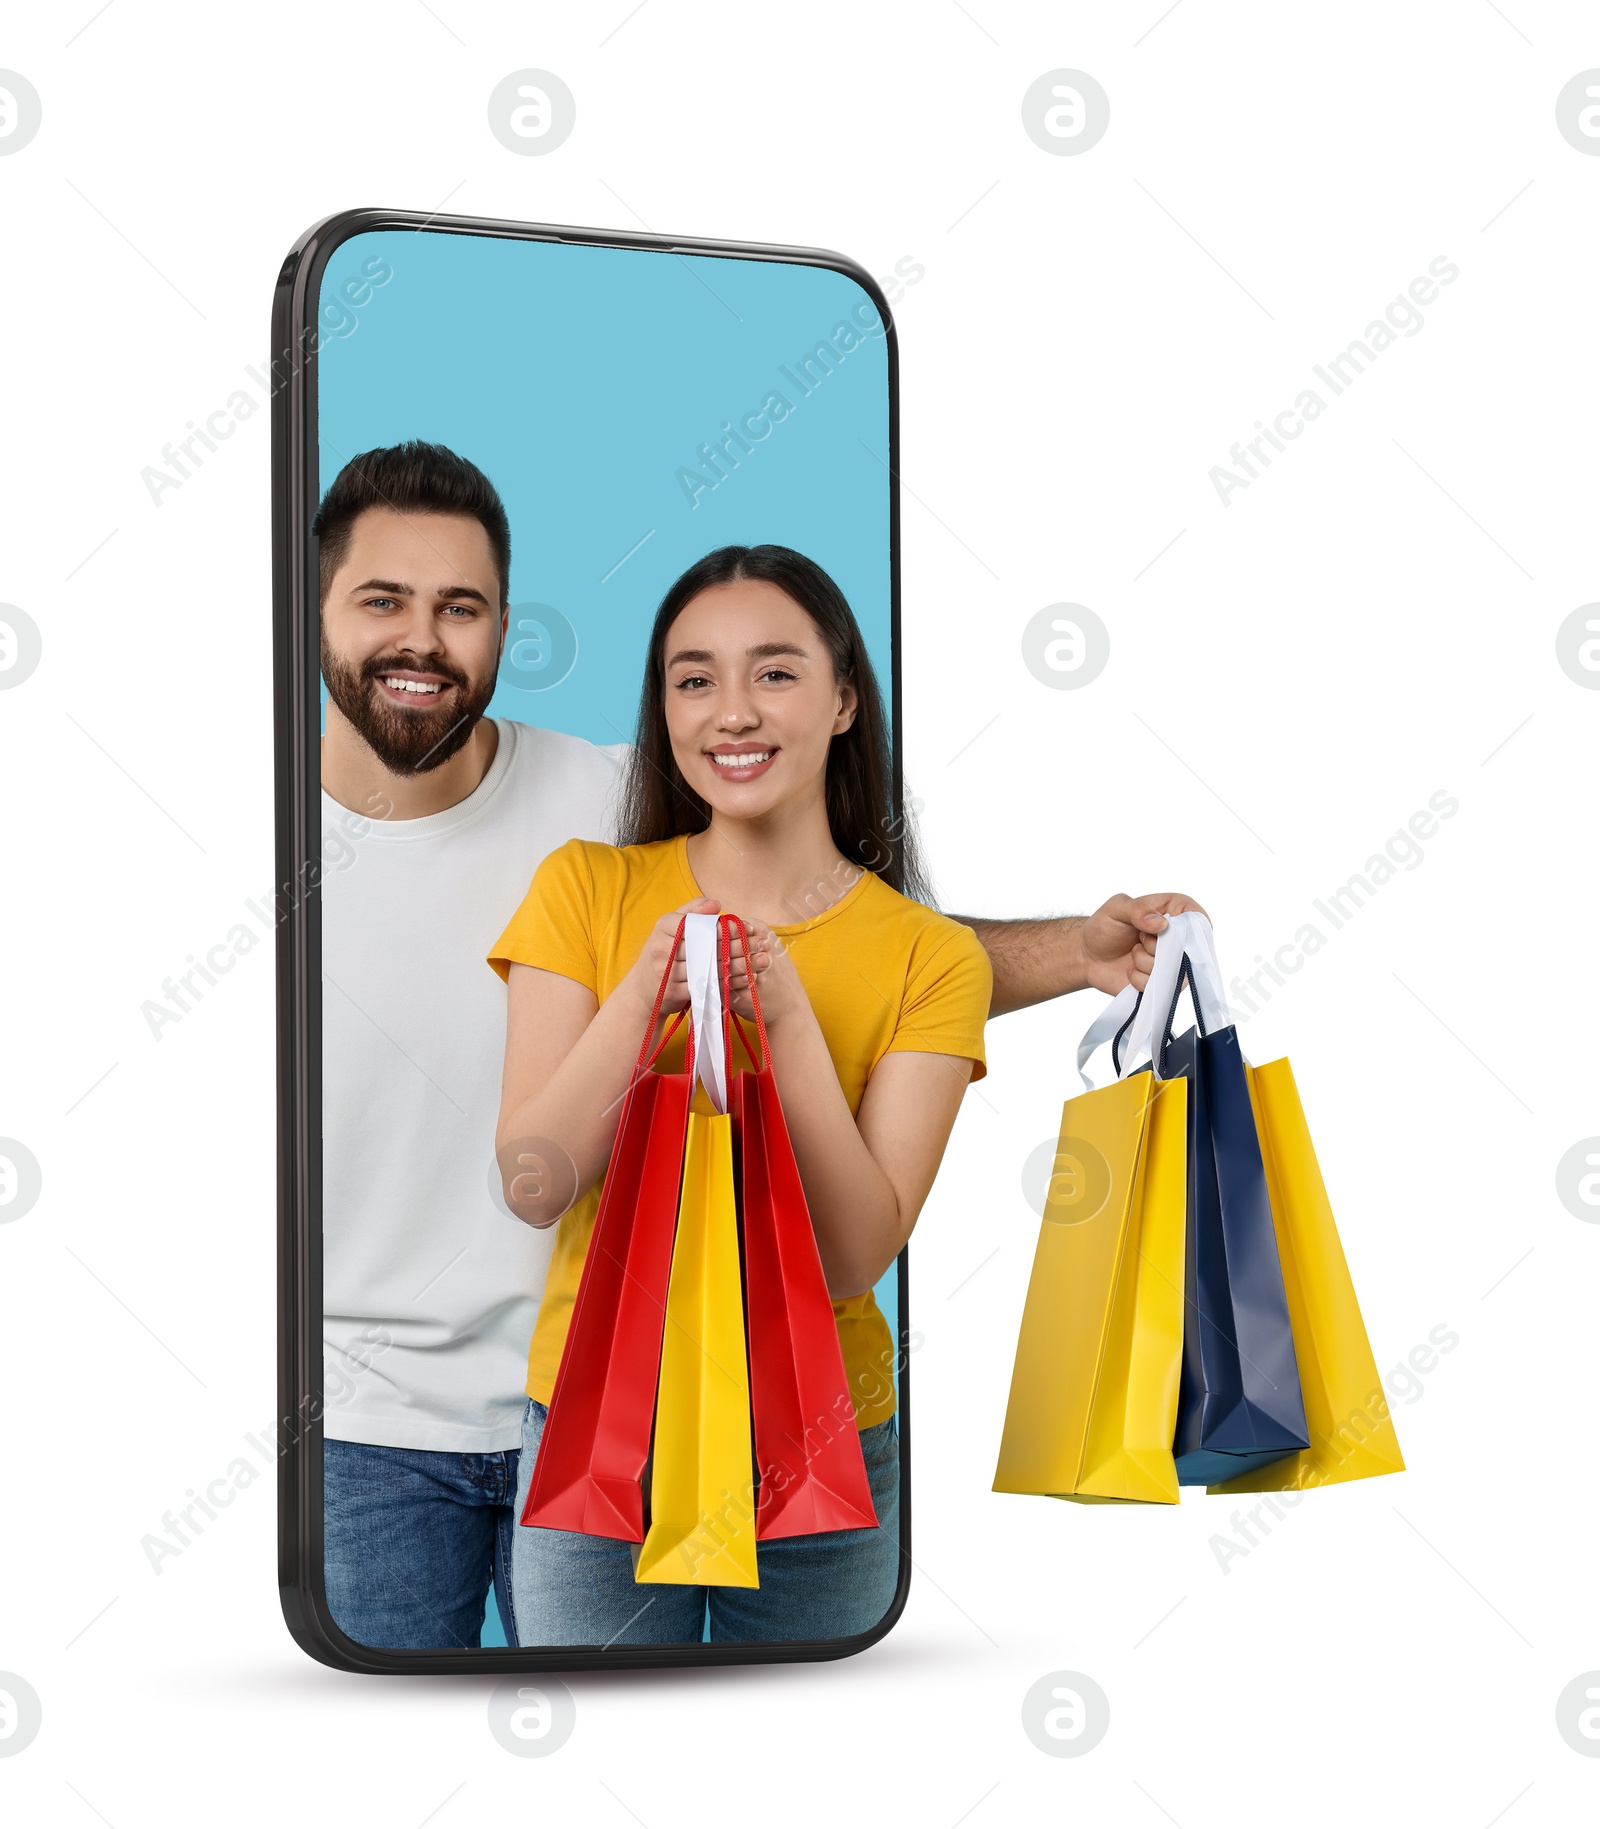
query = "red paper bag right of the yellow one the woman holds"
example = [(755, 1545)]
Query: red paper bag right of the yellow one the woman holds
[(811, 1475)]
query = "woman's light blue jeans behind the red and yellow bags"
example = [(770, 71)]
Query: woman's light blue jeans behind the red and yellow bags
[(837, 1585)]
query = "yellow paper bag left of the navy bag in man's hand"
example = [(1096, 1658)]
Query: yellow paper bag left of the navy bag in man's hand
[(1094, 1389)]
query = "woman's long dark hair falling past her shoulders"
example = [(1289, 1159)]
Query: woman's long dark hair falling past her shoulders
[(659, 804)]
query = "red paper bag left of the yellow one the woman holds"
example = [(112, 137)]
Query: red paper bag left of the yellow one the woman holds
[(590, 1470)]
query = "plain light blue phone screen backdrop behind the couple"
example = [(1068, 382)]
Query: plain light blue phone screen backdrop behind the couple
[(581, 381)]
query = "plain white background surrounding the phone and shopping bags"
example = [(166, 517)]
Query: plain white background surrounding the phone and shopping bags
[(1372, 621)]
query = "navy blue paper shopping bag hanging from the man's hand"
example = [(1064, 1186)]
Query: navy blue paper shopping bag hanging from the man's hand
[(1239, 1402)]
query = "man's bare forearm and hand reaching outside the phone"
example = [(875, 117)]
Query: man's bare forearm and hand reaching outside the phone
[(1107, 950)]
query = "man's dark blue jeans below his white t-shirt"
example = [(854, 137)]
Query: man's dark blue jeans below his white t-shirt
[(414, 1541)]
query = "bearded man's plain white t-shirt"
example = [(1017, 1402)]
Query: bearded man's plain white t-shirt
[(431, 1287)]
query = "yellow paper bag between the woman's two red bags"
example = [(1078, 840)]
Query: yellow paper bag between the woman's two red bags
[(703, 1490)]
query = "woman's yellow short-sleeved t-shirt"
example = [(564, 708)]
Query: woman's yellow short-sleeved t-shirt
[(884, 976)]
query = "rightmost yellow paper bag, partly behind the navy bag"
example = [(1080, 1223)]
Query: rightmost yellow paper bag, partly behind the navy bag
[(1349, 1417)]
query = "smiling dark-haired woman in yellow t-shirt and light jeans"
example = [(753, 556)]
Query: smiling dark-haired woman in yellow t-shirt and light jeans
[(760, 786)]
